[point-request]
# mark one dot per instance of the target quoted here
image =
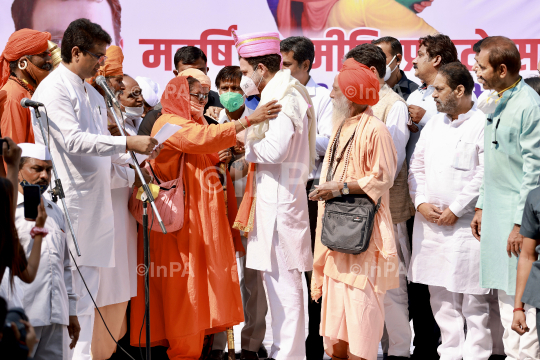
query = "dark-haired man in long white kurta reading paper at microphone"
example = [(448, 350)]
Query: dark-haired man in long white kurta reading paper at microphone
[(84, 153)]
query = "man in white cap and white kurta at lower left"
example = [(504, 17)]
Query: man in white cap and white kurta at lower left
[(49, 301)]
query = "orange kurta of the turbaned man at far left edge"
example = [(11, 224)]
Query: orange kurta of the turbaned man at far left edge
[(15, 121)]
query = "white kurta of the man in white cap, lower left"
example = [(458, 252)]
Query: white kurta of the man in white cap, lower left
[(50, 298)]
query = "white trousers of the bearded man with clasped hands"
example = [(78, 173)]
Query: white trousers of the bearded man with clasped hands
[(452, 311)]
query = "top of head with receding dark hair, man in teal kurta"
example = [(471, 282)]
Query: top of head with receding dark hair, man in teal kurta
[(502, 51)]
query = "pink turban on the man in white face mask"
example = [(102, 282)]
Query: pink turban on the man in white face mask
[(257, 44)]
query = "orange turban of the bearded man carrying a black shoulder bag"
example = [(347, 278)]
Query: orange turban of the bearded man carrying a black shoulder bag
[(358, 83)]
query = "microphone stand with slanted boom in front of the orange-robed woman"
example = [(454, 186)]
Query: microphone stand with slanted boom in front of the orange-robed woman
[(149, 199)]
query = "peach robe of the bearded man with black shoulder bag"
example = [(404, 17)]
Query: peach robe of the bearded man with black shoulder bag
[(373, 164)]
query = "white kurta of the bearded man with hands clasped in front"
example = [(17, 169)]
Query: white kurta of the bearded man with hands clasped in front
[(446, 170)]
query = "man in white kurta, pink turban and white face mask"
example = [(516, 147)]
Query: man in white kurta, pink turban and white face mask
[(279, 244)]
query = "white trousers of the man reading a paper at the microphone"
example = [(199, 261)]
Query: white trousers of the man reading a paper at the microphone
[(85, 310)]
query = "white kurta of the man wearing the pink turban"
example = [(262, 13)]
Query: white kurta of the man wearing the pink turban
[(282, 159)]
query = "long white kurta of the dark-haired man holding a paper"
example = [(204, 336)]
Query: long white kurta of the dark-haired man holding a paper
[(82, 148)]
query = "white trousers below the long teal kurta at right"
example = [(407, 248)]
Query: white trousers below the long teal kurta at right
[(517, 347)]
